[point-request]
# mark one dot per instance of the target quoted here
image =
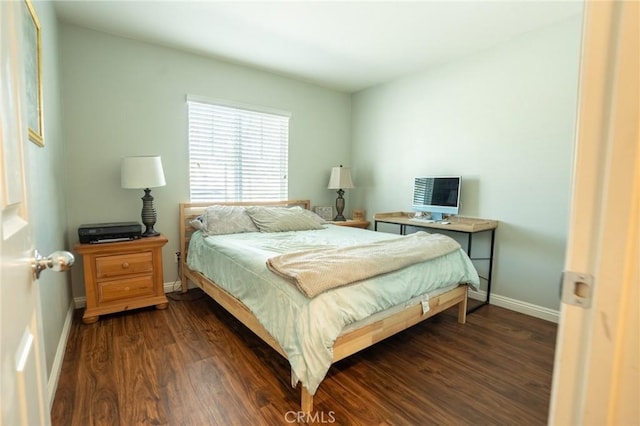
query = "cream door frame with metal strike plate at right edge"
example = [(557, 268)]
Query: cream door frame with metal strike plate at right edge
[(597, 364)]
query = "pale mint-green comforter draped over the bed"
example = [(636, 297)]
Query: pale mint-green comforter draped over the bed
[(307, 328)]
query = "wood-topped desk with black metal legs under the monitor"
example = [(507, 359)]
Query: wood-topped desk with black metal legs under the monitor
[(466, 225)]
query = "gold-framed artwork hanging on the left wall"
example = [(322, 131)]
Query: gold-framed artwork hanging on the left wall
[(33, 73)]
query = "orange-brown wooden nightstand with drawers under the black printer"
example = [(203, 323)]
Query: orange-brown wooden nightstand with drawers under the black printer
[(123, 275)]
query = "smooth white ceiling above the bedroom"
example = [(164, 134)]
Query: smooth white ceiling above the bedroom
[(345, 45)]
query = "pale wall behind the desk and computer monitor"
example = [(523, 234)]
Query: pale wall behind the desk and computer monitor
[(503, 119)]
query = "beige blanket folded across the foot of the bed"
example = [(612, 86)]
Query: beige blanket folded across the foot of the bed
[(316, 271)]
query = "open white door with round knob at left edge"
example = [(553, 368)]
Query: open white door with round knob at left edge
[(23, 377)]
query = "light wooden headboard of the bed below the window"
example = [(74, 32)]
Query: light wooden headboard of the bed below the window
[(190, 211)]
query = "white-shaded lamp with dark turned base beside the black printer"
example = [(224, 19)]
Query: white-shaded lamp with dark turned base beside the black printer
[(144, 172)]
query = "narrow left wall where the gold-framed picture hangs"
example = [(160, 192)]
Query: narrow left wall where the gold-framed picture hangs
[(47, 192)]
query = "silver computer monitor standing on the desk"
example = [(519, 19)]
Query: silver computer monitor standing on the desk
[(437, 195)]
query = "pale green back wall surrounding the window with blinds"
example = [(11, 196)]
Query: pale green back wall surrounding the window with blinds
[(123, 97)]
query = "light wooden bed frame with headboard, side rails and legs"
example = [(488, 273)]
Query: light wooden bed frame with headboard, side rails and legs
[(346, 344)]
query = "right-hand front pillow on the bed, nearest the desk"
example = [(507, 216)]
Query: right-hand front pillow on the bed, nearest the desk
[(280, 219)]
